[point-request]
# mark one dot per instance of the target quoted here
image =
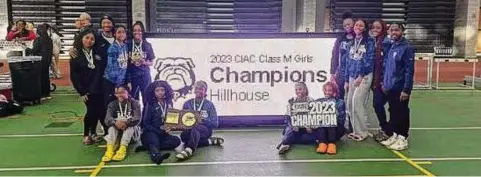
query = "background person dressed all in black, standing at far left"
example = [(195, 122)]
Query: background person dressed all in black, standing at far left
[(43, 46)]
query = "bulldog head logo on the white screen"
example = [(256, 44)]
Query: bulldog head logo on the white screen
[(178, 72)]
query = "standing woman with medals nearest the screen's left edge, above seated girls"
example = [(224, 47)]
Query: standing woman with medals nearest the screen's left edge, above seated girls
[(141, 56)]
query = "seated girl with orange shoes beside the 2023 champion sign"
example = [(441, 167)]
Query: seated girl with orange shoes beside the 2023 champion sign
[(330, 135)]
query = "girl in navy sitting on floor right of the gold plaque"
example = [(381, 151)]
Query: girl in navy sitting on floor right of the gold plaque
[(201, 134)]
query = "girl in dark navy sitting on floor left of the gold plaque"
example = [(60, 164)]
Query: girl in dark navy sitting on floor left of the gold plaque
[(155, 136)]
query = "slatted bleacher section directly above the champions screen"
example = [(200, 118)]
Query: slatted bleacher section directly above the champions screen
[(211, 16)]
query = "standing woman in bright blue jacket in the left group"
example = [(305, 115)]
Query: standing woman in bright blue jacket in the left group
[(115, 73)]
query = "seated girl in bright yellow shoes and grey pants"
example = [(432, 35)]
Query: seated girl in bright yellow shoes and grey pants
[(122, 116)]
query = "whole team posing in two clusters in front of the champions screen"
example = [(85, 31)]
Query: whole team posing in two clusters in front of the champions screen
[(372, 68)]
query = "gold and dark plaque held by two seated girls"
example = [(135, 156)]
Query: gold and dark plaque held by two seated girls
[(181, 119)]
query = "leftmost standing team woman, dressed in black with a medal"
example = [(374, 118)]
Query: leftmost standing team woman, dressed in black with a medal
[(86, 76)]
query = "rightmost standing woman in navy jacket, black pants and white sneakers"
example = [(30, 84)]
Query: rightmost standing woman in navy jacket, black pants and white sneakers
[(398, 78)]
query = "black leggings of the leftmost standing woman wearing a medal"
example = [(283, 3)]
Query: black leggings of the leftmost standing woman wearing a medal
[(95, 112)]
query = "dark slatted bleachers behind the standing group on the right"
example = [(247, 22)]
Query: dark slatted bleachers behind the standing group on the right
[(428, 23)]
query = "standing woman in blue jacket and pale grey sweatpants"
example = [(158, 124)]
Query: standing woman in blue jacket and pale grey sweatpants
[(359, 79)]
